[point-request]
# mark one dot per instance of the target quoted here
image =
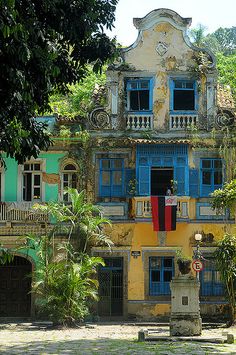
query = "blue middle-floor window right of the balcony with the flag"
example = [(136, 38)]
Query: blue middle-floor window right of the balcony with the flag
[(211, 175)]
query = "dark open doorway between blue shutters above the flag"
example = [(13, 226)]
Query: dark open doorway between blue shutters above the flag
[(161, 181)]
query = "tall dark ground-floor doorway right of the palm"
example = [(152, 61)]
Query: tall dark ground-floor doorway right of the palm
[(110, 290)]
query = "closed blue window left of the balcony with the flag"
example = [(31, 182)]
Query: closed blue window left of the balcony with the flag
[(111, 178)]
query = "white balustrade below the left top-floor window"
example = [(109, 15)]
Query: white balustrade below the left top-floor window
[(139, 122)]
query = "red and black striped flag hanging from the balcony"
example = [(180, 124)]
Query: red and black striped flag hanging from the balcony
[(164, 210)]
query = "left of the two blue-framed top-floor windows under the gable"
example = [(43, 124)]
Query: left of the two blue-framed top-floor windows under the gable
[(139, 95)]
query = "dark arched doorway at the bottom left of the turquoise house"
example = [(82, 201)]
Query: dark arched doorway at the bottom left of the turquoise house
[(15, 287)]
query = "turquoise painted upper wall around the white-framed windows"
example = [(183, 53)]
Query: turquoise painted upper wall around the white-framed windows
[(11, 176)]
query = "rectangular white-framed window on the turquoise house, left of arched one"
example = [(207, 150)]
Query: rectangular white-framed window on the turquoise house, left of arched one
[(32, 181)]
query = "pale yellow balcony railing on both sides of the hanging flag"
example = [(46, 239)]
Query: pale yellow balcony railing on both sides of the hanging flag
[(143, 209)]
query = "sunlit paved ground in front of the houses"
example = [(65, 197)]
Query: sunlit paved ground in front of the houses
[(101, 339)]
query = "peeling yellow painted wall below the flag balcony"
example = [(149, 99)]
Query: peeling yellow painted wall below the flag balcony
[(140, 236)]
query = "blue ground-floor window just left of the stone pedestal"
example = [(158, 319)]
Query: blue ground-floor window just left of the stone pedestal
[(161, 272)]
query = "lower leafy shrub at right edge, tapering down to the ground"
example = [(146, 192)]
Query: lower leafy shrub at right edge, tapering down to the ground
[(225, 256)]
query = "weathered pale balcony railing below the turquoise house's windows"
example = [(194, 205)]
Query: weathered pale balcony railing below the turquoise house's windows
[(21, 212)]
